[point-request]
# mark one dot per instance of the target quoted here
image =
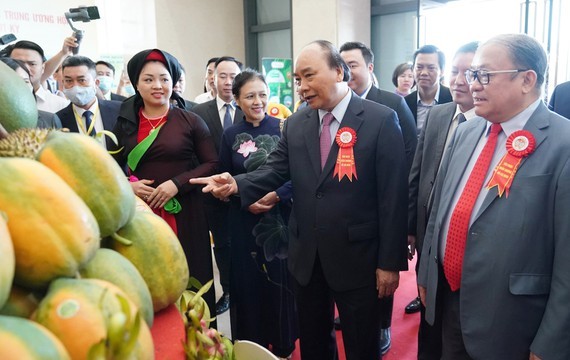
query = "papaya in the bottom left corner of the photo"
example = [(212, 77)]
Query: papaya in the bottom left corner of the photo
[(23, 339)]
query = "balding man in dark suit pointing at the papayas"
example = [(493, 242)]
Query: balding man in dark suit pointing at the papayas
[(347, 240)]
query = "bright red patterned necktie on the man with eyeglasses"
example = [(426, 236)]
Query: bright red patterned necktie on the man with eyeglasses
[(459, 223)]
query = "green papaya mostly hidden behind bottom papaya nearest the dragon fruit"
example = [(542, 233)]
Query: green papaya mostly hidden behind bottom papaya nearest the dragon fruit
[(113, 267)]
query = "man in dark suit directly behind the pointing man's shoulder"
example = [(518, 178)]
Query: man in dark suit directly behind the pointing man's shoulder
[(360, 60)]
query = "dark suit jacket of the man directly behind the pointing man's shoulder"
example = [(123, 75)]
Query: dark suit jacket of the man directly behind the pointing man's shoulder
[(405, 117)]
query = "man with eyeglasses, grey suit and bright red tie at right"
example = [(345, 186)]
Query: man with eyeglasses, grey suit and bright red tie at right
[(496, 245)]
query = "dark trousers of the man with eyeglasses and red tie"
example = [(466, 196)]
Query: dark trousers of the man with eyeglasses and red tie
[(453, 347)]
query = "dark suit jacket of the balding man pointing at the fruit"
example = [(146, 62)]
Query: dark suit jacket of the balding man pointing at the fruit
[(354, 226)]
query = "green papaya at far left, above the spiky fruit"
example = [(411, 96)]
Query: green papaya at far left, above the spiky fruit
[(18, 108)]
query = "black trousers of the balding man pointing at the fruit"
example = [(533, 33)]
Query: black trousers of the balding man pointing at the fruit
[(358, 311)]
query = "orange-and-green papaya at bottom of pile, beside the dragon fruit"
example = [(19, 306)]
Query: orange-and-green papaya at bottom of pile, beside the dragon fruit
[(94, 319)]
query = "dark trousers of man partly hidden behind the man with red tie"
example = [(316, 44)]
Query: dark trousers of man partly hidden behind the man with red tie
[(429, 336)]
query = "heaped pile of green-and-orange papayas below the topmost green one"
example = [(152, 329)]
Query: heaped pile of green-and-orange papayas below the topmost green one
[(62, 198)]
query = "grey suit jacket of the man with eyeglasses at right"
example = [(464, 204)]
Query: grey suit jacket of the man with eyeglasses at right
[(516, 275)]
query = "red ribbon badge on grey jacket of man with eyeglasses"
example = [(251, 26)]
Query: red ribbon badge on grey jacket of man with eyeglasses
[(520, 144)]
